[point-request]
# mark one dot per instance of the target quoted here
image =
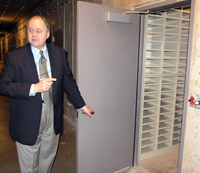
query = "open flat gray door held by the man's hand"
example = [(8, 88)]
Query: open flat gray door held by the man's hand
[(107, 78)]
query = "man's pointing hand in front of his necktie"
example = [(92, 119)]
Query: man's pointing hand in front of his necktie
[(44, 85)]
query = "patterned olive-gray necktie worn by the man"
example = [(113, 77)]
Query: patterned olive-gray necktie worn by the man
[(47, 96)]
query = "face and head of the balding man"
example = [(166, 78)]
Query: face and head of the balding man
[(37, 33)]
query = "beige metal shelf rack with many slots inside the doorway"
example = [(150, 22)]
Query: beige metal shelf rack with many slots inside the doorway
[(163, 81)]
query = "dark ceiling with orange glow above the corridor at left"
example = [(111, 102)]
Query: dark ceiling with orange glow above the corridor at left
[(12, 11)]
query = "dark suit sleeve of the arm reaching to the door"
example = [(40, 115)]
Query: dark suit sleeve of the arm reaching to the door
[(71, 87)]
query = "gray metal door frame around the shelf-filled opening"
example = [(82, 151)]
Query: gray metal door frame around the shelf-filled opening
[(162, 6)]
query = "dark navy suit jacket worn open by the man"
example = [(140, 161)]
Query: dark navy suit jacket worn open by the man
[(25, 111)]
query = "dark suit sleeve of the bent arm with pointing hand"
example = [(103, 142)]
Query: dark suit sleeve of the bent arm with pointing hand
[(9, 85)]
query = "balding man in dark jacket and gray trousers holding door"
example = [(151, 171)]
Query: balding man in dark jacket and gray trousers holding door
[(34, 77)]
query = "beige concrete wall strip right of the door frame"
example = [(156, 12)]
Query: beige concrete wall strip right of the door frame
[(191, 149)]
